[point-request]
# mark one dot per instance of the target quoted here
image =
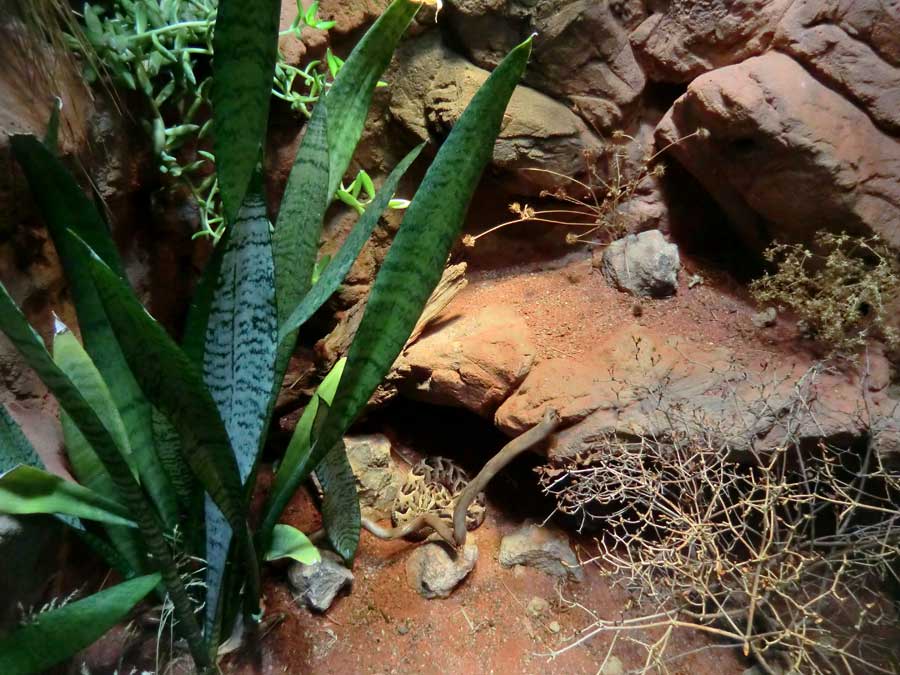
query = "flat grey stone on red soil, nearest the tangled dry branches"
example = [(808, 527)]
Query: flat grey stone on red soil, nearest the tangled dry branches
[(543, 548)]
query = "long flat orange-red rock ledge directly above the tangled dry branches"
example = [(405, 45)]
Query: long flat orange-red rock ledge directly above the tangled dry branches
[(665, 387)]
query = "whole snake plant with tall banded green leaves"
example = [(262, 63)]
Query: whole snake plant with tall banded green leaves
[(164, 437)]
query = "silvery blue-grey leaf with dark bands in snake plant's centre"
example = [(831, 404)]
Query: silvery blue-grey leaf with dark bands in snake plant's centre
[(239, 360)]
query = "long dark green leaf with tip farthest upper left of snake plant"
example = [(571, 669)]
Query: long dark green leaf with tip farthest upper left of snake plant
[(70, 209)]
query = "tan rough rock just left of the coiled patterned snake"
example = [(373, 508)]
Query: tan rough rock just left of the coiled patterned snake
[(377, 480)]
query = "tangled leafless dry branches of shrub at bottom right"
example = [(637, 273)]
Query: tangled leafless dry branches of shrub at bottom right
[(787, 552)]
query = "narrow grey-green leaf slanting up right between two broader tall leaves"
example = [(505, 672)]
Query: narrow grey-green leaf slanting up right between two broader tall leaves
[(337, 269)]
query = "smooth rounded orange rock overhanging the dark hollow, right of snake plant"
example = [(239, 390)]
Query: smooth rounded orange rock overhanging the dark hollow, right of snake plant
[(473, 361)]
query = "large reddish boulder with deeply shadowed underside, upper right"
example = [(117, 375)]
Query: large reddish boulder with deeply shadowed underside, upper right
[(785, 155)]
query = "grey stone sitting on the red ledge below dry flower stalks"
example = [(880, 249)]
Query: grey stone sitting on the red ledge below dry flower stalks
[(644, 264)]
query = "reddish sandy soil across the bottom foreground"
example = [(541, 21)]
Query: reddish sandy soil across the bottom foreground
[(384, 626)]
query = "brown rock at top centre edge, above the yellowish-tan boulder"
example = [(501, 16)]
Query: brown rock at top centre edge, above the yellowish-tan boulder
[(582, 54)]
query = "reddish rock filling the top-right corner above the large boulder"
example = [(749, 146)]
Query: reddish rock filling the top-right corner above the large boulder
[(852, 46)]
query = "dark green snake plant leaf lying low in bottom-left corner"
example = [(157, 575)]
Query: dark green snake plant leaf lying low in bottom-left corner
[(53, 636)]
